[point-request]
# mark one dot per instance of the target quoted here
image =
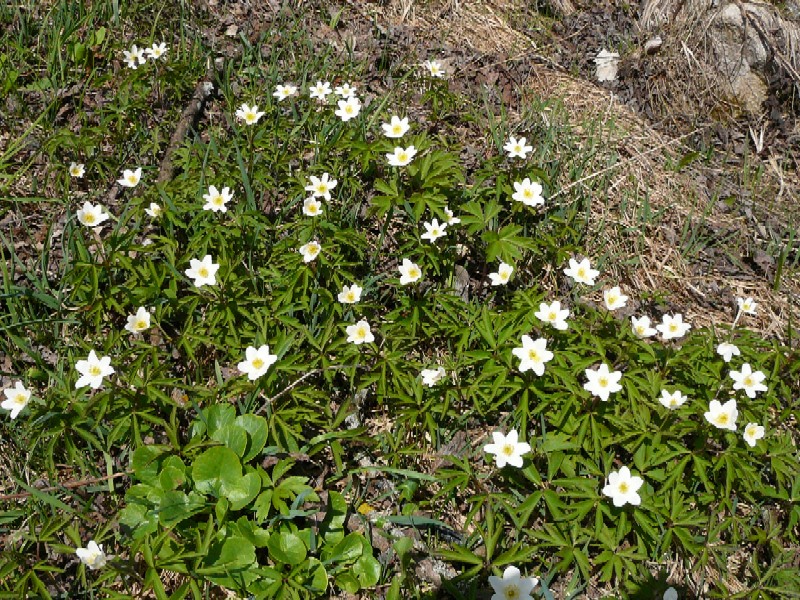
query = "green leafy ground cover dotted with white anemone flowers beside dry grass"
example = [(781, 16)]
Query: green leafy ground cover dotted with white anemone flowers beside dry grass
[(254, 340)]
